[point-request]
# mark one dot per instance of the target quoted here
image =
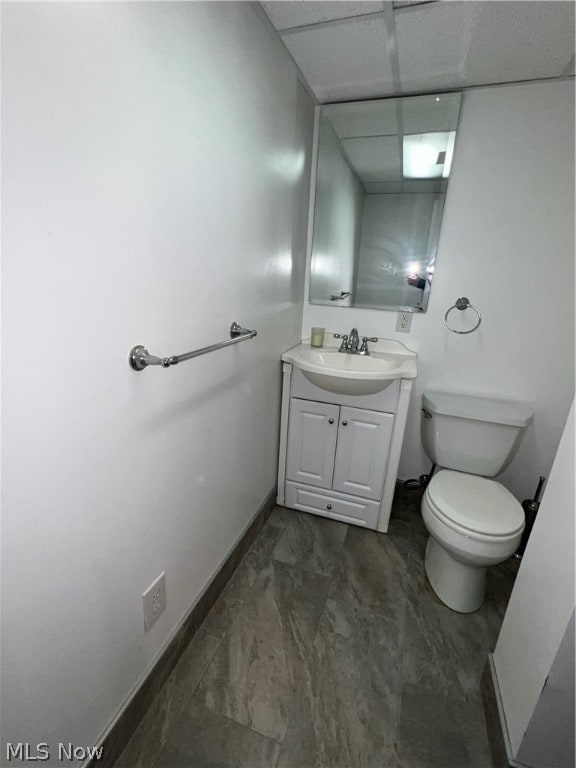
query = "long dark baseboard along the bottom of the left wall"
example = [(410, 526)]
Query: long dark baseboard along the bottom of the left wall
[(128, 719)]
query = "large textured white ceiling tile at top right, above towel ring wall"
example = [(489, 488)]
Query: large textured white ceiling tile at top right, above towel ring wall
[(459, 44)]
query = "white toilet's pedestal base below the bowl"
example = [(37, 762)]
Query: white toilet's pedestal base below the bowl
[(459, 586)]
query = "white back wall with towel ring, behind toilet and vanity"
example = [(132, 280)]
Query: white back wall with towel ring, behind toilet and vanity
[(507, 243)]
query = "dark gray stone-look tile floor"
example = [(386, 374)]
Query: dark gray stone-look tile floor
[(328, 648)]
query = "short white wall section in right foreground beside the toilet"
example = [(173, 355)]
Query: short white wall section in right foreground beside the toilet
[(542, 600)]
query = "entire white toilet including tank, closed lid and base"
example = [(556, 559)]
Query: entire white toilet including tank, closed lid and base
[(473, 522)]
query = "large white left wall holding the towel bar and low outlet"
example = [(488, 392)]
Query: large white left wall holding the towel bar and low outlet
[(156, 159)]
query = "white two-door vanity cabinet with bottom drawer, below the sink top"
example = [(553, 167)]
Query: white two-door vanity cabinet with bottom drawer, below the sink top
[(339, 453)]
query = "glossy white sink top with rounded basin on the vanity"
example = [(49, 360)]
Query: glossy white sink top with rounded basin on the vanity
[(353, 374)]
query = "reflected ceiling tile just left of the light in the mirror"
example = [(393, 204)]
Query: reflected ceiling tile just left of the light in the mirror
[(377, 158)]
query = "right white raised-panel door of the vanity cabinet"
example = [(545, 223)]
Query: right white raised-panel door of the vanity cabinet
[(362, 453)]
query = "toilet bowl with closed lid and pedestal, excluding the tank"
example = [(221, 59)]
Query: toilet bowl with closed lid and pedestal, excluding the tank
[(473, 523)]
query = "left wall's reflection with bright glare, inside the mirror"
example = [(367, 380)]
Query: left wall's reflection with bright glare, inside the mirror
[(338, 218)]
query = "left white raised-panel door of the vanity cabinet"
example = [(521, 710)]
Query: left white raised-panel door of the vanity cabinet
[(312, 430)]
